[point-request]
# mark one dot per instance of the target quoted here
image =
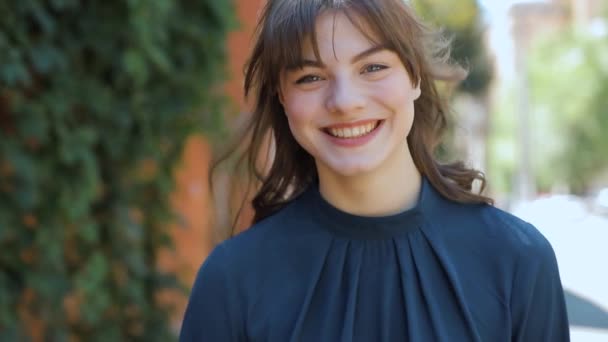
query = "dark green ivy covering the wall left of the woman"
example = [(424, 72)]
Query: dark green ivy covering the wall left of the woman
[(96, 101)]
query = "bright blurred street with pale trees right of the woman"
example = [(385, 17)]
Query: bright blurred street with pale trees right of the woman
[(550, 89)]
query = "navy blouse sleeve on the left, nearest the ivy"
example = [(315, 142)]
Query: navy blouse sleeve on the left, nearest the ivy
[(212, 313)]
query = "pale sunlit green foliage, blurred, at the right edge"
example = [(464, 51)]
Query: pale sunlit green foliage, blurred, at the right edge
[(569, 87)]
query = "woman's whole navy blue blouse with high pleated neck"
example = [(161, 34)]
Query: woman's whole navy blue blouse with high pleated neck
[(441, 271)]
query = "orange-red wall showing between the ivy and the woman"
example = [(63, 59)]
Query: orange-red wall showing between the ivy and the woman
[(194, 241)]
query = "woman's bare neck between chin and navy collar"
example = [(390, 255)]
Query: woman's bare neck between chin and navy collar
[(385, 191)]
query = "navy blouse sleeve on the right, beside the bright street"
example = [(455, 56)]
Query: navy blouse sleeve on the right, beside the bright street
[(538, 305)]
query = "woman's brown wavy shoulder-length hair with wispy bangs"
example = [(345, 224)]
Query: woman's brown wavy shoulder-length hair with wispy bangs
[(282, 29)]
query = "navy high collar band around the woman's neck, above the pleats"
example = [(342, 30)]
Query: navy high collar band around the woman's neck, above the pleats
[(349, 225)]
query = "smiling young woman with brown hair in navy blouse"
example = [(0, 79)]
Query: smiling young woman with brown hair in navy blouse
[(359, 233)]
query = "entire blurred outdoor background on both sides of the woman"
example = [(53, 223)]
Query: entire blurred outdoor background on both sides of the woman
[(110, 113)]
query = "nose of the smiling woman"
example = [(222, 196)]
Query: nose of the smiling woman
[(344, 96)]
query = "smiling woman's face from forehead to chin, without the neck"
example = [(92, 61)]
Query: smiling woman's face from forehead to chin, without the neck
[(353, 109)]
